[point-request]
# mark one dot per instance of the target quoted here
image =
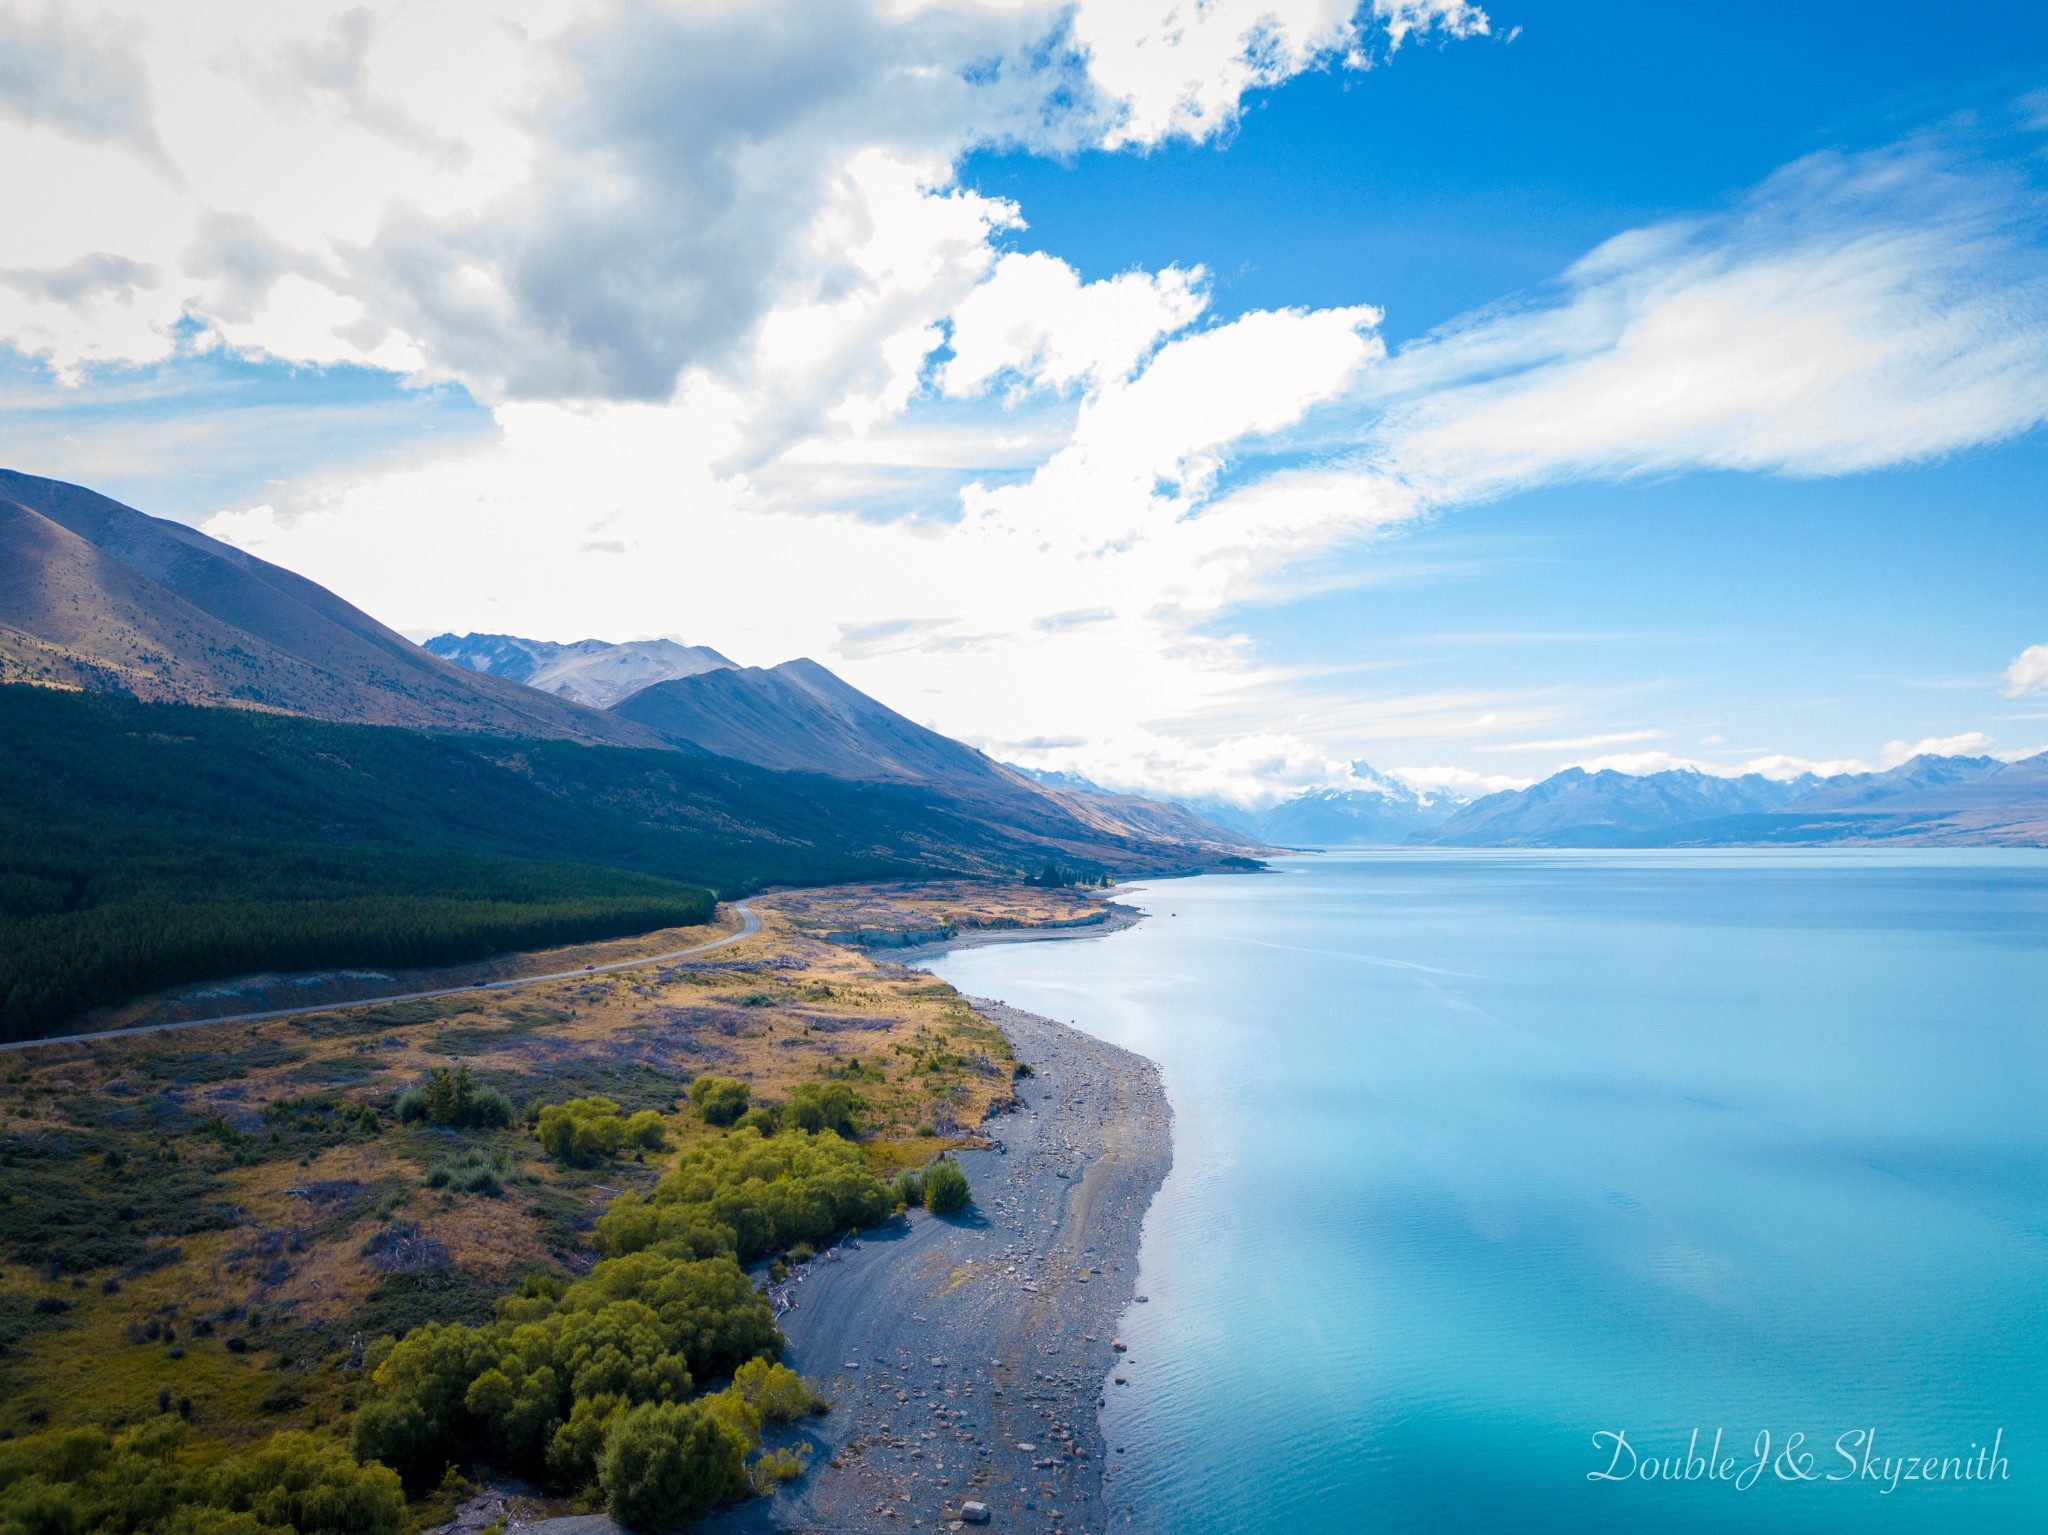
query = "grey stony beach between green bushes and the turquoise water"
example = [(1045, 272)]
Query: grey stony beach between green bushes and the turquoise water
[(968, 1358)]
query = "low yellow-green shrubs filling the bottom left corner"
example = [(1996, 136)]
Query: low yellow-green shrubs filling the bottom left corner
[(89, 1481)]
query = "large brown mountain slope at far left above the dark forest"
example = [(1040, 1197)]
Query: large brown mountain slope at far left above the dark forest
[(95, 595)]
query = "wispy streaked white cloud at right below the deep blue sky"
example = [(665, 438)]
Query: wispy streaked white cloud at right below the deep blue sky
[(1852, 312)]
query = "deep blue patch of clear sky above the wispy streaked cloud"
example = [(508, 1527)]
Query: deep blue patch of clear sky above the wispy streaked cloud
[(1467, 171)]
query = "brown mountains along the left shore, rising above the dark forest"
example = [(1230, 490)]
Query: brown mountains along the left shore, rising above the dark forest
[(101, 597)]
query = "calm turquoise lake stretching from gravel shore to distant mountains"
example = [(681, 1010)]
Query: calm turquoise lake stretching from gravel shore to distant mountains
[(1484, 1155)]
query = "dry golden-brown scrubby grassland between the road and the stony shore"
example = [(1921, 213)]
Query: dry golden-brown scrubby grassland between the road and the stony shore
[(212, 1219)]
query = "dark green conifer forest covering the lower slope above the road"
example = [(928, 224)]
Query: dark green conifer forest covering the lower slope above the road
[(144, 846)]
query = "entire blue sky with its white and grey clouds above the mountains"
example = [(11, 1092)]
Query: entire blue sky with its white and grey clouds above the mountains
[(1195, 404)]
